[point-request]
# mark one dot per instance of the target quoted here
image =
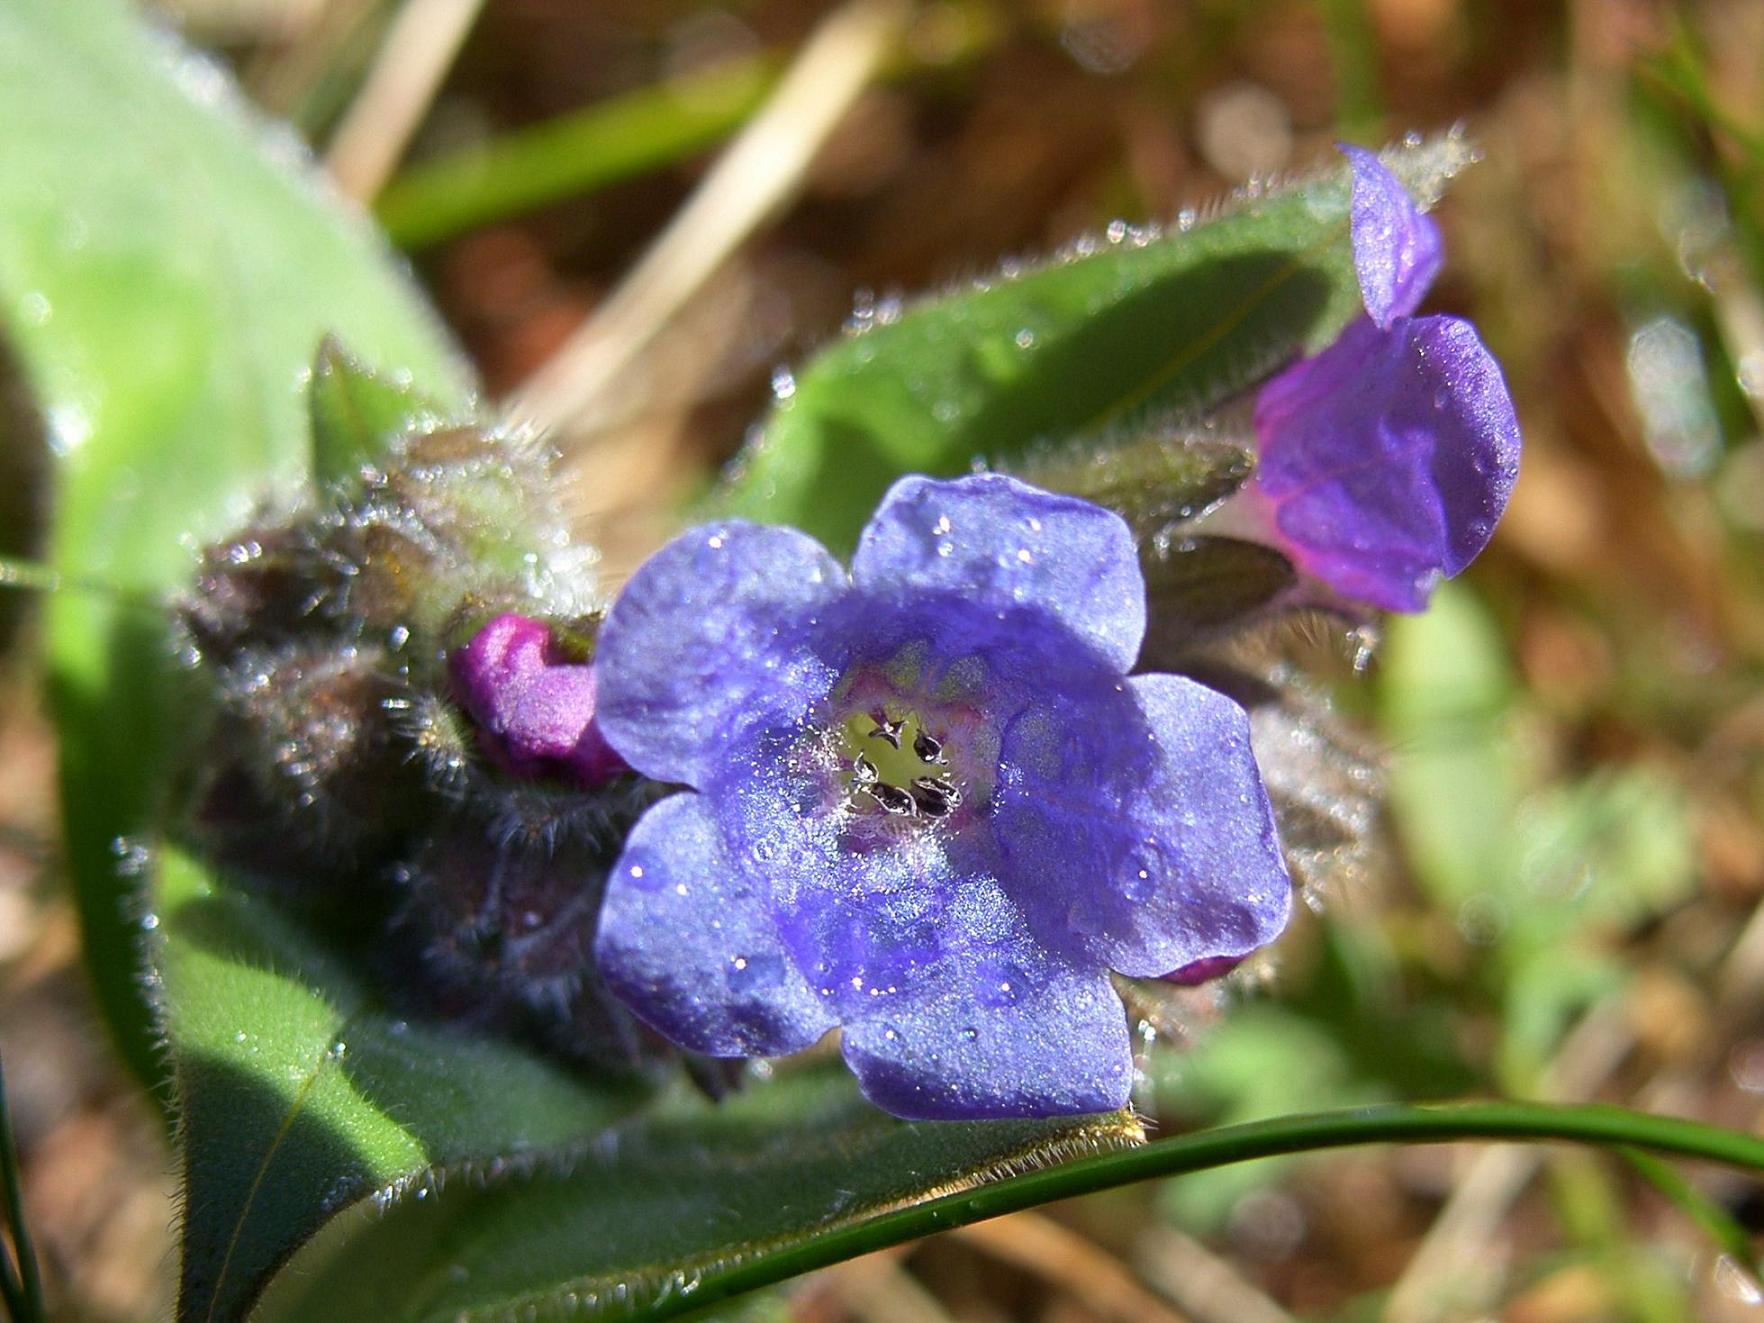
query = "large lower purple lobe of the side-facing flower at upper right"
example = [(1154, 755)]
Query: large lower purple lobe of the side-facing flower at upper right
[(1389, 458)]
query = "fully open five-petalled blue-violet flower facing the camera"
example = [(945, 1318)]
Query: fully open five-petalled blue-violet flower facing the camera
[(927, 802)]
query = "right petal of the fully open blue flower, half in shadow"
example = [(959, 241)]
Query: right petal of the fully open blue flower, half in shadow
[(1137, 830)]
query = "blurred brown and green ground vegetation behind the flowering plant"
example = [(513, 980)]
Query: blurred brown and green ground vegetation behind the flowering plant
[(1574, 735)]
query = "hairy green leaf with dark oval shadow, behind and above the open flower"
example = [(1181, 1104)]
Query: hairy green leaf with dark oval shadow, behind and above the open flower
[(1098, 347)]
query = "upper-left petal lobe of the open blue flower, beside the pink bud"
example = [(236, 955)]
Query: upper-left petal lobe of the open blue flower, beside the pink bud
[(706, 638)]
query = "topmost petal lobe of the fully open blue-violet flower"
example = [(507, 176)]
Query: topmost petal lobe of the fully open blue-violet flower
[(1006, 546)]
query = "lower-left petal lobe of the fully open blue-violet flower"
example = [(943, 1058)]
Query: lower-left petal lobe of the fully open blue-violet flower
[(689, 943)]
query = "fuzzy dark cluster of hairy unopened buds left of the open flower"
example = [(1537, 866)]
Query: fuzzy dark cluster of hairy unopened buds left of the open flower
[(347, 775)]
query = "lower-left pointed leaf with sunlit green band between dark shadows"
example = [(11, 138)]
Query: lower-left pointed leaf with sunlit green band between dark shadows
[(299, 1095)]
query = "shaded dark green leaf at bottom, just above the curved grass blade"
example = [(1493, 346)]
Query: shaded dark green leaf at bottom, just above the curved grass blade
[(684, 1195)]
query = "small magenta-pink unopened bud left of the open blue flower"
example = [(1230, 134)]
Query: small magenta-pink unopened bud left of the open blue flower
[(534, 708)]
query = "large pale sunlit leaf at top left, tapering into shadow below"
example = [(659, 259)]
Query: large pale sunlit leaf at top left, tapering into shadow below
[(165, 297)]
